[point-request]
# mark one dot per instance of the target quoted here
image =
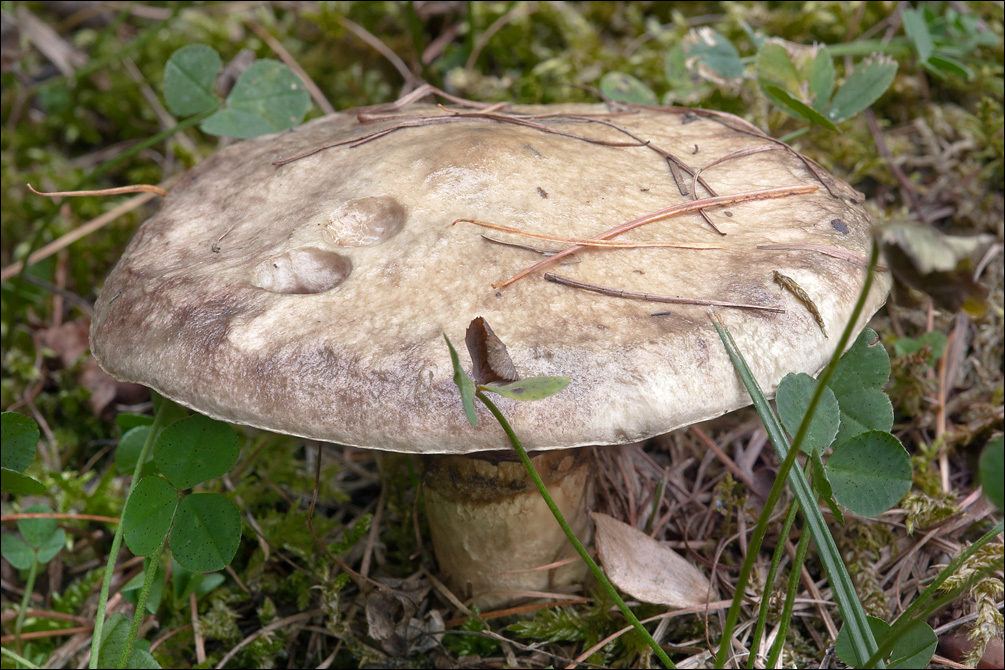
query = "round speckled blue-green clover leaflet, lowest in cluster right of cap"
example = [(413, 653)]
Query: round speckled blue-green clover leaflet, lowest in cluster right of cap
[(870, 474)]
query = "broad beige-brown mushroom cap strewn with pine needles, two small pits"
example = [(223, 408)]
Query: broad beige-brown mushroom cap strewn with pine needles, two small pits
[(312, 299)]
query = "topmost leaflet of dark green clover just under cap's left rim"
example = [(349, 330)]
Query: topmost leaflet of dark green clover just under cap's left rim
[(196, 450)]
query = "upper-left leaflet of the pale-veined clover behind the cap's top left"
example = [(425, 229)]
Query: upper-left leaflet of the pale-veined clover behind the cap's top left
[(188, 80)]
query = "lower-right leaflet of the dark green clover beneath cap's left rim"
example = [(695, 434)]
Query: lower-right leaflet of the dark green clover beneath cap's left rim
[(207, 534)]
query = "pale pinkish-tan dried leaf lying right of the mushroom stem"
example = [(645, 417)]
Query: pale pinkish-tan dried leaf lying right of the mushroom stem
[(647, 570)]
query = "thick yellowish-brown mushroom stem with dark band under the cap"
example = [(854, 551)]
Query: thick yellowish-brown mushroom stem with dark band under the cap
[(491, 529)]
